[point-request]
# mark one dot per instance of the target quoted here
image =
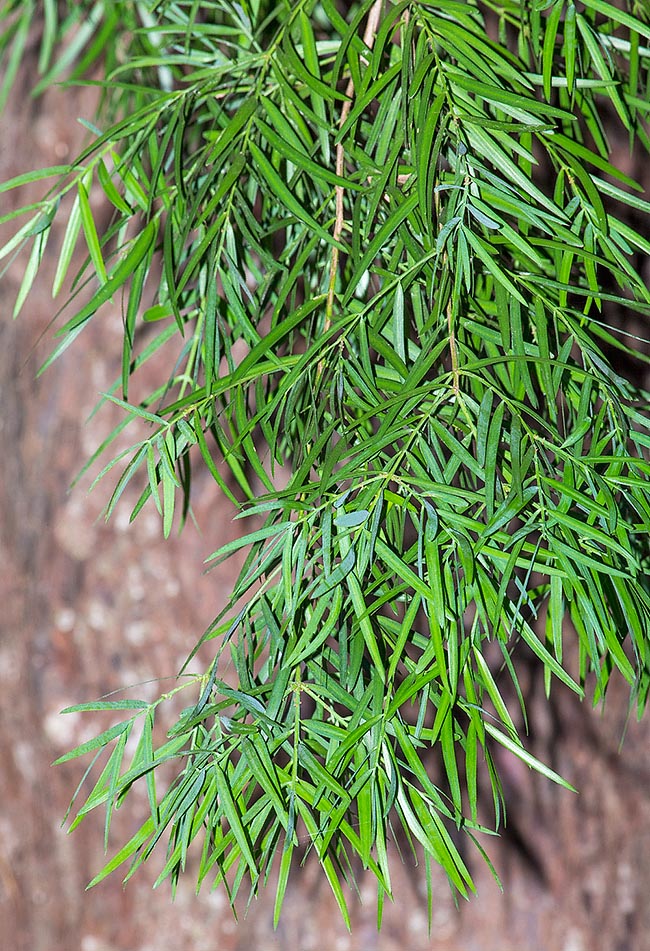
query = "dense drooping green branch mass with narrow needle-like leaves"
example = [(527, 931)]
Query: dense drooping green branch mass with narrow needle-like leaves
[(382, 247)]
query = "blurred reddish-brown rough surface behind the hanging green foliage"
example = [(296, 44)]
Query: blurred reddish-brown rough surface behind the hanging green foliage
[(87, 608)]
